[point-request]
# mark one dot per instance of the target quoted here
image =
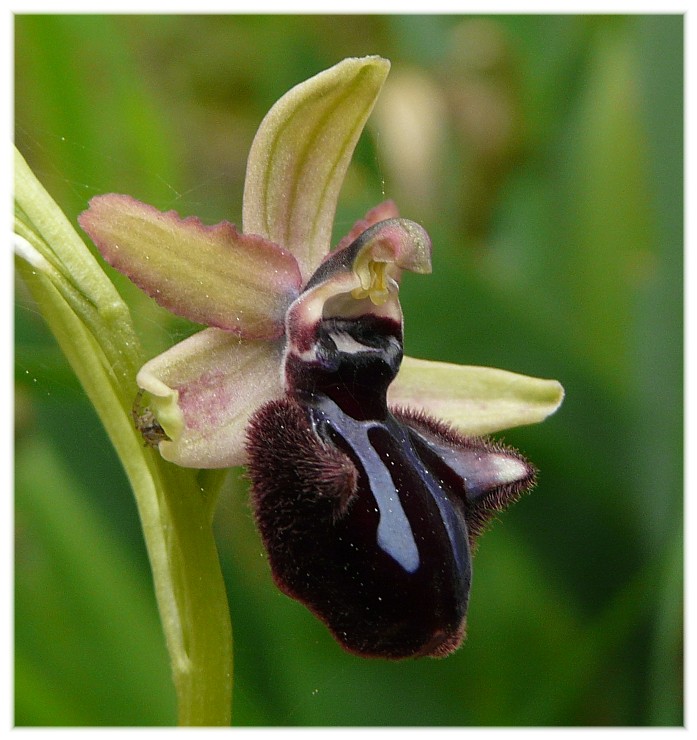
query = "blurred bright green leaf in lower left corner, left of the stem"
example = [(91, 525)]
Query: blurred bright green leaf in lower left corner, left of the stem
[(79, 596)]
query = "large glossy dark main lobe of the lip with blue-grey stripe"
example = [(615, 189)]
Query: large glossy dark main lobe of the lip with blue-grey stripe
[(359, 530)]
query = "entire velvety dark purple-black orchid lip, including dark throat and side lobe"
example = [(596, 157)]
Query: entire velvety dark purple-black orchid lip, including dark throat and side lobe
[(369, 514)]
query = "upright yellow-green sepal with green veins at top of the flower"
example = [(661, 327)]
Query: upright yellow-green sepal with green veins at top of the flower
[(301, 153)]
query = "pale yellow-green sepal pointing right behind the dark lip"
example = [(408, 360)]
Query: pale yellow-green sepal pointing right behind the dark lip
[(475, 400)]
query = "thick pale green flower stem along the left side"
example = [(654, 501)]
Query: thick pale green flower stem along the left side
[(94, 329)]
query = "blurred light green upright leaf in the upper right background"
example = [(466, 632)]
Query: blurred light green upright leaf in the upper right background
[(612, 223)]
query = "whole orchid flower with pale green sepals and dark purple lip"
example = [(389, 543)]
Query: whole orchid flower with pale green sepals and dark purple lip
[(370, 482)]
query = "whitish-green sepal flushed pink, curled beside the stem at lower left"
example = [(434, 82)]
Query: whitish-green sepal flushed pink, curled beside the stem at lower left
[(203, 392)]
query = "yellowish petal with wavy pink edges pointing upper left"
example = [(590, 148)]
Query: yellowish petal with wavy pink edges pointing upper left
[(210, 274)]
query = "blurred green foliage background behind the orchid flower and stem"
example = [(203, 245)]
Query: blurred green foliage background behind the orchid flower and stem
[(544, 156)]
